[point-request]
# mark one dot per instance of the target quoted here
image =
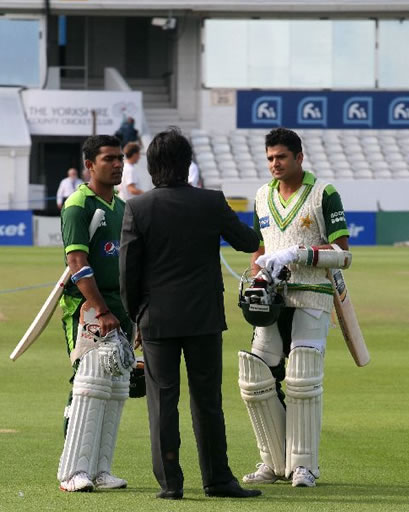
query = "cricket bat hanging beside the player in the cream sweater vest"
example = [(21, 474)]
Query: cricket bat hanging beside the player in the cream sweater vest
[(348, 320)]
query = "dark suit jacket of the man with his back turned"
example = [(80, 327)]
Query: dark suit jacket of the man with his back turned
[(170, 274)]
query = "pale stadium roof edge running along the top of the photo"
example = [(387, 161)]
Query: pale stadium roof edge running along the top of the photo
[(281, 7)]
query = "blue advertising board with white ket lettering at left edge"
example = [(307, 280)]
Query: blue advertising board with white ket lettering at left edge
[(16, 227)]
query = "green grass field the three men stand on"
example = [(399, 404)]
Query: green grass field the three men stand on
[(365, 438)]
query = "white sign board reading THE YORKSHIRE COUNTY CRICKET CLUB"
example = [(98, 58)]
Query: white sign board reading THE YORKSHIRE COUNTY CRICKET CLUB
[(64, 112)]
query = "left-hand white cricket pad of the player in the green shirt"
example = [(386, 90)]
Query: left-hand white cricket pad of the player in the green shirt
[(92, 387)]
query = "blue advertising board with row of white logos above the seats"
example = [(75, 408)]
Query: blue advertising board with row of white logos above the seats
[(320, 109)]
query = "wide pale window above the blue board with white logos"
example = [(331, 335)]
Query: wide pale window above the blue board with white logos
[(290, 53)]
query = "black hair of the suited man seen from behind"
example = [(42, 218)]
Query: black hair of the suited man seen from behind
[(169, 157)]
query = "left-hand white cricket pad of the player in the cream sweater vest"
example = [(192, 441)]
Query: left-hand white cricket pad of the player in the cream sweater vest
[(267, 414)]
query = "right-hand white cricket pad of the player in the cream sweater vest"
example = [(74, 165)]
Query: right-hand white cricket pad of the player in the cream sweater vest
[(304, 378)]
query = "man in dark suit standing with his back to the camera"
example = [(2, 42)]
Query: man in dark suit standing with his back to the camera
[(172, 287)]
